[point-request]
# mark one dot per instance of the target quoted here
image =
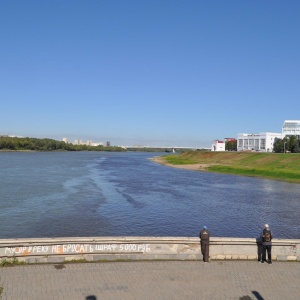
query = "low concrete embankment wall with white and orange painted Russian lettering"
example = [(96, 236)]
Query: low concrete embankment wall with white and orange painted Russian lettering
[(60, 250)]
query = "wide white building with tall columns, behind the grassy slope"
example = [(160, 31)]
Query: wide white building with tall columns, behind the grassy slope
[(257, 142)]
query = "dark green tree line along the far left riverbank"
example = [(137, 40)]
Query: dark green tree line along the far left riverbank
[(35, 144)]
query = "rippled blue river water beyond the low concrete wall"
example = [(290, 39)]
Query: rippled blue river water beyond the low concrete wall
[(68, 194)]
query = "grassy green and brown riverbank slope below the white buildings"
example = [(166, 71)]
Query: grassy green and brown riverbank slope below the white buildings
[(277, 166)]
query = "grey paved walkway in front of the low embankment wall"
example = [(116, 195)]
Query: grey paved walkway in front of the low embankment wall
[(152, 280)]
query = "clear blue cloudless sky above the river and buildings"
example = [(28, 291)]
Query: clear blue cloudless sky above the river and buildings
[(153, 72)]
